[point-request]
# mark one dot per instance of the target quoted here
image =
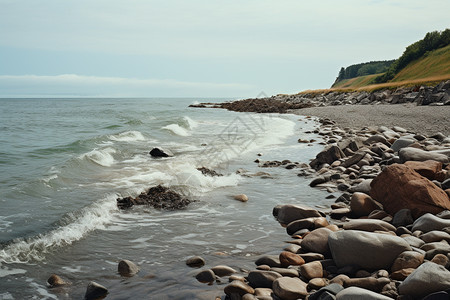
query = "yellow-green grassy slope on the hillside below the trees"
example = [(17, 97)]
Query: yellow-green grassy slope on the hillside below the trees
[(430, 69)]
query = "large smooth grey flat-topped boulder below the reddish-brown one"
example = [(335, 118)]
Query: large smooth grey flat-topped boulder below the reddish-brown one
[(365, 249)]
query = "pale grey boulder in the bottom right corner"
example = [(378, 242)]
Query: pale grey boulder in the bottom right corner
[(426, 279)]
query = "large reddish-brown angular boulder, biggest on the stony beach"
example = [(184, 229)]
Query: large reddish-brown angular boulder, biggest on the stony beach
[(397, 187)]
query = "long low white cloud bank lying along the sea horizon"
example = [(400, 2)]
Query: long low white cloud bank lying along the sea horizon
[(93, 86)]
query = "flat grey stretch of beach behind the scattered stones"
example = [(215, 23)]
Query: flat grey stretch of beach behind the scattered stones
[(426, 120)]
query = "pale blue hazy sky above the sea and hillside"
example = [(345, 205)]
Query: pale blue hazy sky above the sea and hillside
[(193, 48)]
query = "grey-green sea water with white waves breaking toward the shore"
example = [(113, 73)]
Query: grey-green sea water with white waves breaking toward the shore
[(64, 162)]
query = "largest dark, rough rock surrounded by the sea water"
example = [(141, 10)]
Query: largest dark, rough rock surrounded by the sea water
[(159, 197)]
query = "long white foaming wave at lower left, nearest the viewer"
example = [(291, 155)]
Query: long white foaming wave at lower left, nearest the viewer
[(75, 226)]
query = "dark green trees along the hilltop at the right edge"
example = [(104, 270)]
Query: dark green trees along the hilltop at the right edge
[(432, 41)]
